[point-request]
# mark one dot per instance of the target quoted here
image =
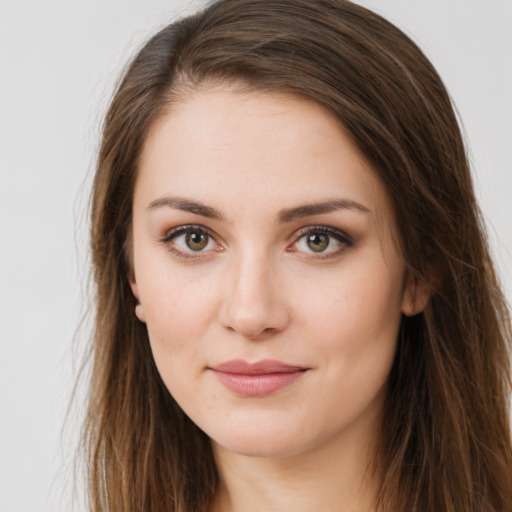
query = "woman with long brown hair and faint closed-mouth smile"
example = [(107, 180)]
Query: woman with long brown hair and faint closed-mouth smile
[(296, 309)]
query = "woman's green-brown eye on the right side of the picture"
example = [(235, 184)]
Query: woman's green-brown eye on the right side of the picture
[(322, 241)]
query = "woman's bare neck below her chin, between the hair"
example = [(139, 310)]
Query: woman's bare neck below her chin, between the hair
[(334, 477)]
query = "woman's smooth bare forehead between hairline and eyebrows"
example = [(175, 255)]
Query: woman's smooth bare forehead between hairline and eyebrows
[(254, 148)]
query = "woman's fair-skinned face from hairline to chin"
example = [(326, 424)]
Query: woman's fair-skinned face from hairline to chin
[(266, 272)]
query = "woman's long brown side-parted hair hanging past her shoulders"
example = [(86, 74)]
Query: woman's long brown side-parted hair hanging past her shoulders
[(445, 441)]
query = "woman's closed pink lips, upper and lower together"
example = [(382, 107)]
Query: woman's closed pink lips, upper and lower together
[(257, 379)]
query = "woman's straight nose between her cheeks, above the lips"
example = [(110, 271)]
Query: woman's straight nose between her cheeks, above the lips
[(252, 305)]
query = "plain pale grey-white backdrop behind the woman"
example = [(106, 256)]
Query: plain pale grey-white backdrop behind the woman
[(59, 61)]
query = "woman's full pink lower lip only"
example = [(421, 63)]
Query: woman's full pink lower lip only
[(259, 384)]
